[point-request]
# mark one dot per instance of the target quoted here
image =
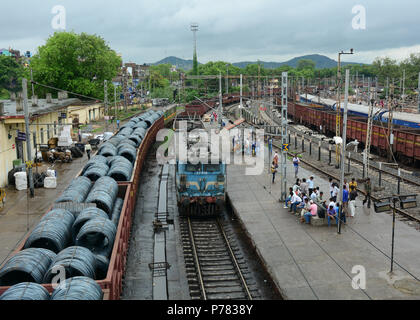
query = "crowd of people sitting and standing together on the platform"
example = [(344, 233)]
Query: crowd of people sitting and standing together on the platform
[(307, 201)]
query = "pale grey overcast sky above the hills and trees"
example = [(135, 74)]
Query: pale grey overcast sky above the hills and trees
[(229, 30)]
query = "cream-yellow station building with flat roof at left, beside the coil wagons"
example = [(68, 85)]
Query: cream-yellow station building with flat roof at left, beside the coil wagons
[(47, 116)]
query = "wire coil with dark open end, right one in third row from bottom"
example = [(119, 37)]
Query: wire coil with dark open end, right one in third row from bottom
[(98, 236)]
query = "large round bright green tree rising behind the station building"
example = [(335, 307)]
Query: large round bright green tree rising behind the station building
[(75, 62)]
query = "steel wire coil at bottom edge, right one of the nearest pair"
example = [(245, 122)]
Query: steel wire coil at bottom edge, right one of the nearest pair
[(78, 288)]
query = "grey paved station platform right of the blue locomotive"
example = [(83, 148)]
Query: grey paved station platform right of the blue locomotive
[(315, 262)]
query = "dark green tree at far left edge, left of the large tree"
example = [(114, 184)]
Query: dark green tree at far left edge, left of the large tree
[(11, 73)]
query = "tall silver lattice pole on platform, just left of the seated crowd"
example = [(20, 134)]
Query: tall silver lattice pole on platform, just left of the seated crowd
[(284, 133)]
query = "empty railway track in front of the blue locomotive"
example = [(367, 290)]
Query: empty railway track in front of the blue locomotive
[(216, 268)]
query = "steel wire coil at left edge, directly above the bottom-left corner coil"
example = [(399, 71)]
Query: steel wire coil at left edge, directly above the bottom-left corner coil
[(29, 265)]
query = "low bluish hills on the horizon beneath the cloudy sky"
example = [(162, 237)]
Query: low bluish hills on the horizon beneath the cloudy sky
[(321, 62)]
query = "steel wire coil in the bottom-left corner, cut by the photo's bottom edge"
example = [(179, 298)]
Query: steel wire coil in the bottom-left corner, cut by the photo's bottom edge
[(26, 291)]
